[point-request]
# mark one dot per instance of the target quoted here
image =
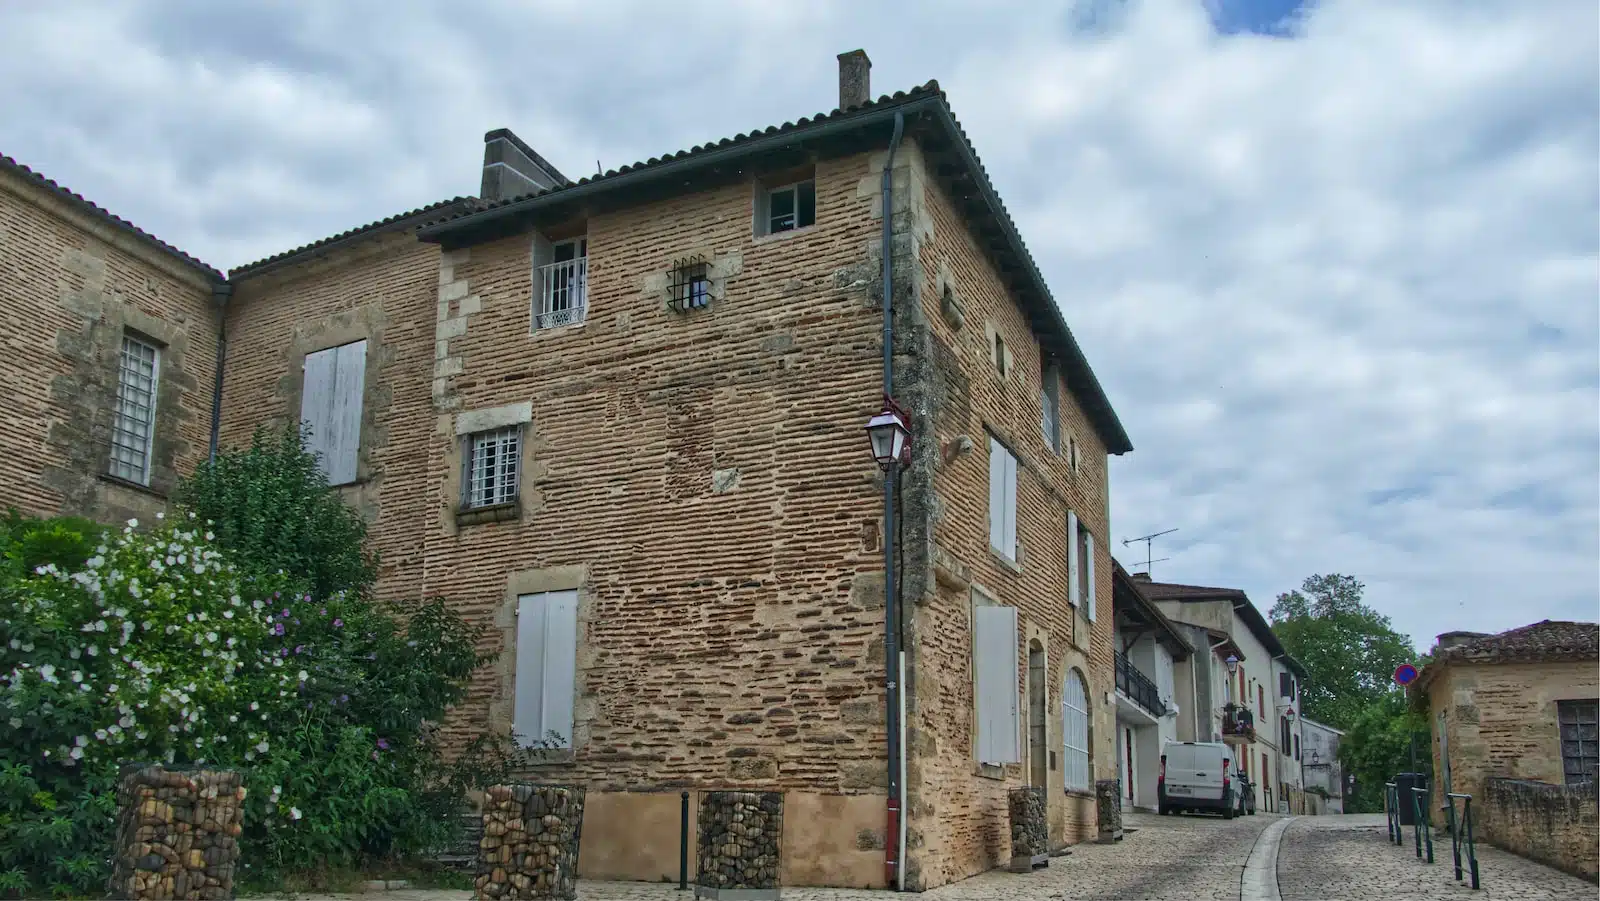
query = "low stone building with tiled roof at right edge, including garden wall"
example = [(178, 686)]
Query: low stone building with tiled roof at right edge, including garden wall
[(1516, 721)]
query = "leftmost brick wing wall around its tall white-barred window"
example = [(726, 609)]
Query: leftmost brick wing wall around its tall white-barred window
[(70, 287)]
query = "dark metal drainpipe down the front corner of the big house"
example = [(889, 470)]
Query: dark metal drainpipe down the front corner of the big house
[(892, 838)]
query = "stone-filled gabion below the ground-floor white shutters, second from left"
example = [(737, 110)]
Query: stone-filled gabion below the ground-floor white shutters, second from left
[(530, 843)]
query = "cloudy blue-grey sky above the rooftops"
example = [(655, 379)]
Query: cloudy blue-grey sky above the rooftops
[(1338, 266)]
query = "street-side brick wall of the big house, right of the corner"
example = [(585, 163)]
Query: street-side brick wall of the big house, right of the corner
[(961, 817)]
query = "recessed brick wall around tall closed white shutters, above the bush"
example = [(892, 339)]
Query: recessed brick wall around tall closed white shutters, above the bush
[(385, 292)]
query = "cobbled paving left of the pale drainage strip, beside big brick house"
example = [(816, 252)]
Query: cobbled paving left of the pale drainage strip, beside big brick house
[(1182, 859)]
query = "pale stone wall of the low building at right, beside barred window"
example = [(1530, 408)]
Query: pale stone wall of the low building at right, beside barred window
[(1502, 719)]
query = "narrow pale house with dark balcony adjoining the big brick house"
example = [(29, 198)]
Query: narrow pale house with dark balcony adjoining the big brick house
[(1148, 649)]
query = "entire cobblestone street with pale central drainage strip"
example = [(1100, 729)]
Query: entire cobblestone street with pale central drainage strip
[(1193, 859)]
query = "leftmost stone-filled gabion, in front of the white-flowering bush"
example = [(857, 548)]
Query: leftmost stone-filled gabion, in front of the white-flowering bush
[(177, 835)]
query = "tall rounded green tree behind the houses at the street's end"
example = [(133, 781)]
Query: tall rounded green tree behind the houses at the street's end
[(1348, 649)]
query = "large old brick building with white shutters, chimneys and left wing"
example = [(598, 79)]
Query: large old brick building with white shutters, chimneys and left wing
[(620, 422)]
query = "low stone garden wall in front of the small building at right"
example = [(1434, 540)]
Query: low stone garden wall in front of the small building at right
[(1548, 823)]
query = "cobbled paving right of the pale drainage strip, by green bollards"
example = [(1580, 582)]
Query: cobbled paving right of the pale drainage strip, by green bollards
[(1348, 857)]
